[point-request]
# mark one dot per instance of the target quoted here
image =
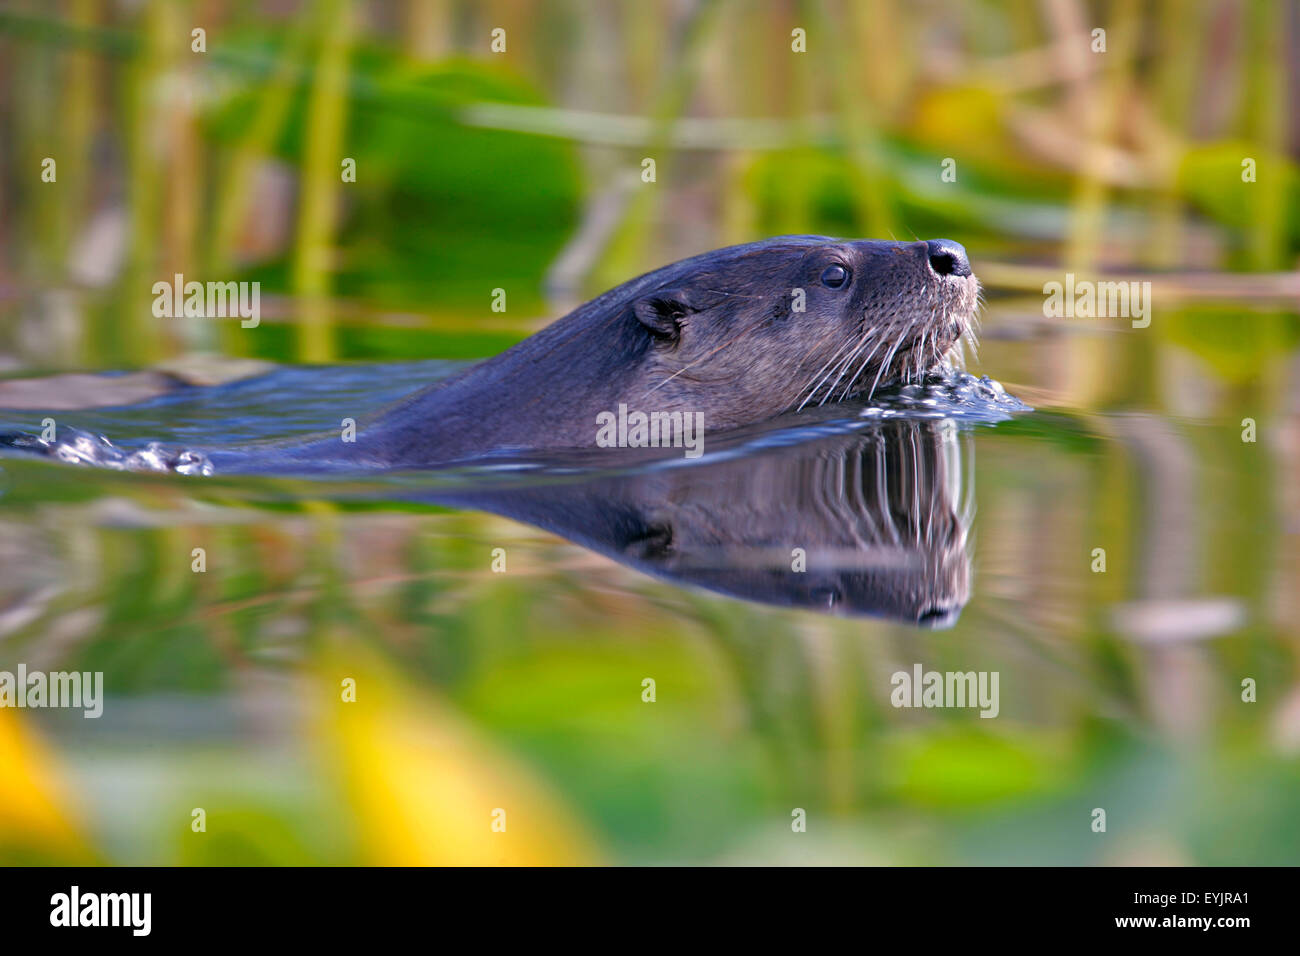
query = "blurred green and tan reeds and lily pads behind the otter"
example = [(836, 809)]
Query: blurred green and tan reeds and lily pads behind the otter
[(478, 171)]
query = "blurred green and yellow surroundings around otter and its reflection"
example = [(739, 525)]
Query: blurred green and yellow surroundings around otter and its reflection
[(1169, 158)]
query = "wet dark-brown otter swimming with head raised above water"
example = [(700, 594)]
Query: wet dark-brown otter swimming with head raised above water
[(730, 338)]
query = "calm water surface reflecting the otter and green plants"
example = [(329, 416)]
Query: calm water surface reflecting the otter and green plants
[(1125, 568)]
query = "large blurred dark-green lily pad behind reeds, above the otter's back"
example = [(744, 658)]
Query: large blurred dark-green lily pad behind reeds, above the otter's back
[(441, 213)]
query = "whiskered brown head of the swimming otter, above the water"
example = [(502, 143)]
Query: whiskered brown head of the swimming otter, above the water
[(749, 332)]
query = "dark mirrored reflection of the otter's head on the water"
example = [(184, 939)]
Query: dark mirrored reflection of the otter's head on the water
[(864, 524)]
